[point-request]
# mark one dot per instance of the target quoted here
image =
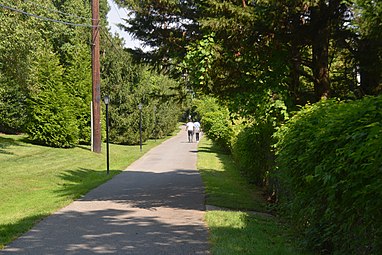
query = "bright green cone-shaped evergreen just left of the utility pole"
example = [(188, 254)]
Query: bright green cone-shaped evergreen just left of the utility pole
[(51, 120)]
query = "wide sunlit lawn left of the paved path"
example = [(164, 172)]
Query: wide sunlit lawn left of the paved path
[(37, 180)]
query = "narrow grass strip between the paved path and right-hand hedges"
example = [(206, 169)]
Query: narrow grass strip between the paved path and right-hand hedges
[(238, 232)]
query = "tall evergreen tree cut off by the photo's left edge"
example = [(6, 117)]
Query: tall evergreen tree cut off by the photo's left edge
[(17, 40)]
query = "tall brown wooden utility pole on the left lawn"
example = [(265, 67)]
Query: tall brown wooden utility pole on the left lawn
[(96, 77)]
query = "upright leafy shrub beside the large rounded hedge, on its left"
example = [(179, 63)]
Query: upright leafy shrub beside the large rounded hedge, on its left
[(253, 147)]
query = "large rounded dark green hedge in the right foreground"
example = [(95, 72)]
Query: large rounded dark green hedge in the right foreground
[(330, 166)]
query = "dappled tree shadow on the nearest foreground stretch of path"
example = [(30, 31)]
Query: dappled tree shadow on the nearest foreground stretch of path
[(109, 232)]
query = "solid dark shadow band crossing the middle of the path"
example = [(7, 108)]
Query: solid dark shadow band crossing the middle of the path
[(148, 190)]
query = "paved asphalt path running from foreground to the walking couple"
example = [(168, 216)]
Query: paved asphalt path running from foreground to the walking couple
[(155, 207)]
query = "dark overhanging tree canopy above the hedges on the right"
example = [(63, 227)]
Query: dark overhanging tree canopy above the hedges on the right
[(309, 49)]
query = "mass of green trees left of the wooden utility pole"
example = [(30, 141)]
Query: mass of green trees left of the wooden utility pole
[(49, 84)]
